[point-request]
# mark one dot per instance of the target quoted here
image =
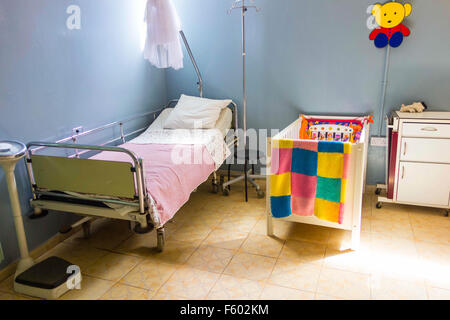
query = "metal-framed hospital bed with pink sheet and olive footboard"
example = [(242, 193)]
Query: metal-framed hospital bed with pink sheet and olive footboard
[(120, 182)]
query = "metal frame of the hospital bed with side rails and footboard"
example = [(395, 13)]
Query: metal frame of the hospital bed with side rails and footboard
[(48, 192)]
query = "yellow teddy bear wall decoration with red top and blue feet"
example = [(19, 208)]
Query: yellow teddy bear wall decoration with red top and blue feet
[(389, 18)]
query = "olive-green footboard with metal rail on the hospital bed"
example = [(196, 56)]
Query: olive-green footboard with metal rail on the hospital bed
[(103, 178)]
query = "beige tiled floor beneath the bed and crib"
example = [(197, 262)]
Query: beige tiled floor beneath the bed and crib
[(217, 248)]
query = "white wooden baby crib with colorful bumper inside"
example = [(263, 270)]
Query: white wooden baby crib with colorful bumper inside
[(333, 131)]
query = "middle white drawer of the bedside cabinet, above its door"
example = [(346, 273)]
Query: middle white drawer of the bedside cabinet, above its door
[(425, 150)]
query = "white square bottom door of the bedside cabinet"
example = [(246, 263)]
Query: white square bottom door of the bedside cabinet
[(424, 183)]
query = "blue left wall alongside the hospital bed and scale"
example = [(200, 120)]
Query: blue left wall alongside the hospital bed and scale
[(53, 79)]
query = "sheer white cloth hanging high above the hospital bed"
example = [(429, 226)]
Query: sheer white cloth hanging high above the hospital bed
[(163, 46)]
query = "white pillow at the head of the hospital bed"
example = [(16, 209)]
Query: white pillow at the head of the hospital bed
[(195, 113)]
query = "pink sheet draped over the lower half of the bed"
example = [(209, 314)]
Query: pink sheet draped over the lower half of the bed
[(169, 183)]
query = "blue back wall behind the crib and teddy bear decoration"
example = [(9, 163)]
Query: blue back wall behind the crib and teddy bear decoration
[(314, 56)]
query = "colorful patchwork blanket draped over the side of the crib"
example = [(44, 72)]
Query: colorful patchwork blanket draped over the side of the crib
[(309, 178)]
